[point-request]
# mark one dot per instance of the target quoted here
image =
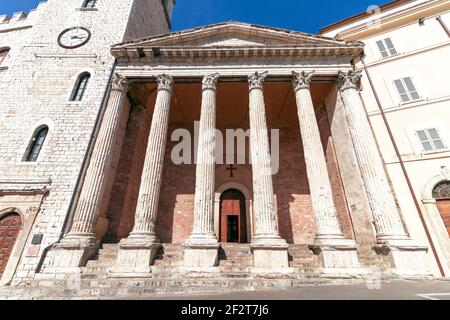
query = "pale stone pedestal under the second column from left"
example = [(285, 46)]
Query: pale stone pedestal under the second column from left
[(136, 255)]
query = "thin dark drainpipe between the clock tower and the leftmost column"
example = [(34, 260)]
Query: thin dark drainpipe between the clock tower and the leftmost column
[(81, 174)]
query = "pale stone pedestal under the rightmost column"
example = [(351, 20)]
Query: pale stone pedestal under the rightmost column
[(407, 257)]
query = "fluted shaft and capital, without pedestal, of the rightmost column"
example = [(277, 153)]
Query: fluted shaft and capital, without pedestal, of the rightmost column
[(386, 216)]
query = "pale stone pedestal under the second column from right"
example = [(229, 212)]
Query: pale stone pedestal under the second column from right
[(337, 256)]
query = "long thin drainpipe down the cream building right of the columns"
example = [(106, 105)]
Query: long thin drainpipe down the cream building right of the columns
[(405, 172)]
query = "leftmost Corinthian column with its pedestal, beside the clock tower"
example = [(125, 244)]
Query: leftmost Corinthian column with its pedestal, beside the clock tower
[(80, 241)]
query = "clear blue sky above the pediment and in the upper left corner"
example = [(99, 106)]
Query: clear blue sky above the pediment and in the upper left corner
[(301, 15)]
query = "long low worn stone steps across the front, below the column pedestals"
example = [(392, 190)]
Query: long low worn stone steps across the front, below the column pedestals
[(109, 288)]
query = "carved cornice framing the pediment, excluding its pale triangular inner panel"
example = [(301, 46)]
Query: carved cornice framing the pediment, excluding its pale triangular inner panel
[(180, 44)]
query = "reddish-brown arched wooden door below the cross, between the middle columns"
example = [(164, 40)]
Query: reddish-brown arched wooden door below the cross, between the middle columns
[(233, 219)]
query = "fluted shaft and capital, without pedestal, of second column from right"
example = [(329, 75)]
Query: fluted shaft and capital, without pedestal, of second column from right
[(327, 225)]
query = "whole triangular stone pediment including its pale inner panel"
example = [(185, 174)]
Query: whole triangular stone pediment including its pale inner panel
[(229, 35)]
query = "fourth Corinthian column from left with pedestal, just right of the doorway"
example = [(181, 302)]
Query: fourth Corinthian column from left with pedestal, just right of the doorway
[(268, 247)]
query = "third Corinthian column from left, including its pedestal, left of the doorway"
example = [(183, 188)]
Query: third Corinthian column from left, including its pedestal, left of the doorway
[(202, 246)]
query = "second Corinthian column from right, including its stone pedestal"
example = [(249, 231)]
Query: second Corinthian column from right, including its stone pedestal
[(335, 251)]
